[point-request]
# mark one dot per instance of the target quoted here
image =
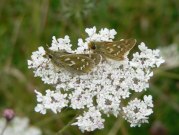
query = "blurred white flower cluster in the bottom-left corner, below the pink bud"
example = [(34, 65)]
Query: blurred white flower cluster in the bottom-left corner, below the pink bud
[(19, 126)]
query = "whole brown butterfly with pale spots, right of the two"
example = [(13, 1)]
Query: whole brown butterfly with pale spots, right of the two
[(116, 50)]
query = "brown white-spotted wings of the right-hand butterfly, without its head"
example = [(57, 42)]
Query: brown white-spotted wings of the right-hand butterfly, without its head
[(118, 49)]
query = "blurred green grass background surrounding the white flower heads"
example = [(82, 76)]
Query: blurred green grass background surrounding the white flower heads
[(25, 25)]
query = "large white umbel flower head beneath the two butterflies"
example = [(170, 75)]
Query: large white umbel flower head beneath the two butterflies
[(101, 91)]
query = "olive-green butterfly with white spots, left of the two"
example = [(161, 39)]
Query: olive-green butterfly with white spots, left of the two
[(74, 63)]
